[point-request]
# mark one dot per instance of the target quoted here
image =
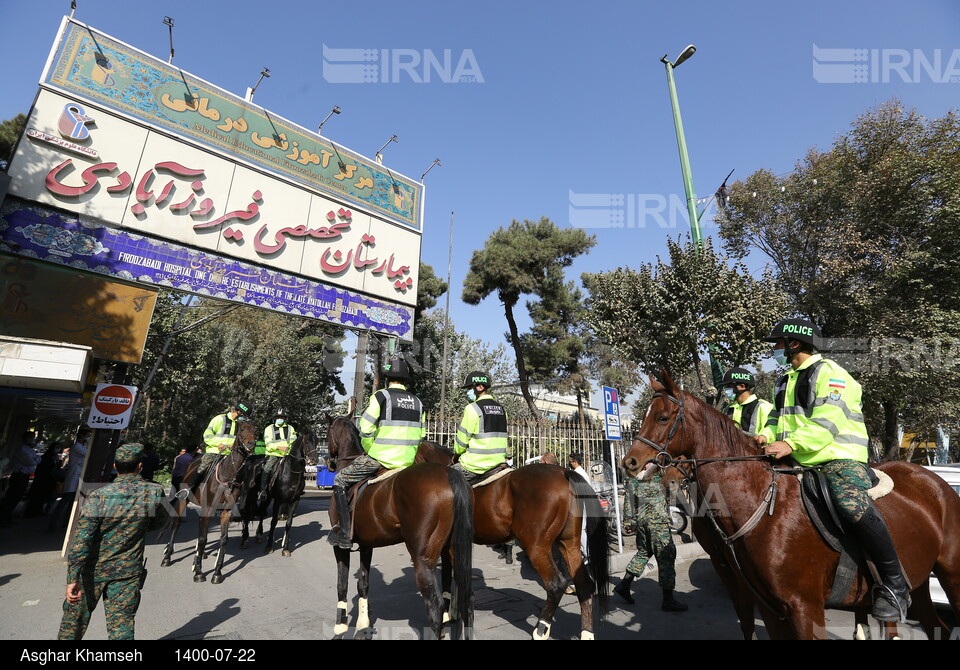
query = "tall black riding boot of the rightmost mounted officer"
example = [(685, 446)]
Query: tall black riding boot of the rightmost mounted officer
[(892, 595)]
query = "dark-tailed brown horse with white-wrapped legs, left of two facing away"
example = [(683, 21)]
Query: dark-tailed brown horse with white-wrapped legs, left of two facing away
[(426, 506)]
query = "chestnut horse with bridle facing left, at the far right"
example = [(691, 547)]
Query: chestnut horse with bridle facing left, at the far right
[(782, 560)]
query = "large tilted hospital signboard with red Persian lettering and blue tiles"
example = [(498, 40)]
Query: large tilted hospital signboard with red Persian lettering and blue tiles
[(176, 182)]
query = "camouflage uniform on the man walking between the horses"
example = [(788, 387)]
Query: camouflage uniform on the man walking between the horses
[(645, 505)]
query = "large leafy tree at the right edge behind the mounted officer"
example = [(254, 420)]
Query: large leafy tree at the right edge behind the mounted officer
[(863, 238)]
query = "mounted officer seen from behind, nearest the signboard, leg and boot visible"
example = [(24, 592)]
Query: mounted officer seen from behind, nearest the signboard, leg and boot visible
[(391, 429)]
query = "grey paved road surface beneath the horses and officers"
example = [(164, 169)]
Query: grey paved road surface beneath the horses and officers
[(271, 597)]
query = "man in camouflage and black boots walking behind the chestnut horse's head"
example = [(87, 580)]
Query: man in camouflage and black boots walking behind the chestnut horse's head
[(645, 508)]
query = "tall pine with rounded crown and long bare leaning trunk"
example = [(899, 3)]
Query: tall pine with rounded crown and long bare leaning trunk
[(522, 259)]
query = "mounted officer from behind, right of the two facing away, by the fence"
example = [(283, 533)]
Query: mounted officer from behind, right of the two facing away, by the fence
[(482, 435)]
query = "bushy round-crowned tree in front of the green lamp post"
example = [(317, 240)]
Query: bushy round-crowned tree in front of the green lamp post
[(665, 314)]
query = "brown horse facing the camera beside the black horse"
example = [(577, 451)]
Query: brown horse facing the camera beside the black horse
[(216, 495)]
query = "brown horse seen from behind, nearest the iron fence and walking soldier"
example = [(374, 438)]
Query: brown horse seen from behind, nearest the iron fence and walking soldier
[(541, 506)]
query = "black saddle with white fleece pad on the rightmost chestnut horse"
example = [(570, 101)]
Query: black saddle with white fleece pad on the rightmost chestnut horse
[(822, 512)]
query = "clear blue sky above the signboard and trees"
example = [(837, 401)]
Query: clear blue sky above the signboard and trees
[(573, 99)]
